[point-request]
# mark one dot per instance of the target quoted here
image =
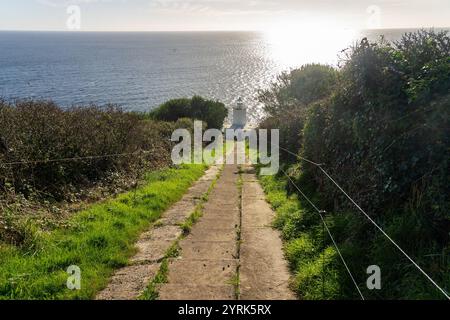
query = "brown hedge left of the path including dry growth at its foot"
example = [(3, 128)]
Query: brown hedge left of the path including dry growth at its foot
[(54, 161)]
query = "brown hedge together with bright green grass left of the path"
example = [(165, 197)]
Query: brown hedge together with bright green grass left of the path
[(54, 163)]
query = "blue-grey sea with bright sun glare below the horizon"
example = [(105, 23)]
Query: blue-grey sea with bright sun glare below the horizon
[(141, 70)]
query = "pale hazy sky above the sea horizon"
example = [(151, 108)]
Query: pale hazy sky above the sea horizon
[(143, 15)]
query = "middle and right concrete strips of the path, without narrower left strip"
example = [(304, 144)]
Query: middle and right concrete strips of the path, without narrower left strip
[(232, 252)]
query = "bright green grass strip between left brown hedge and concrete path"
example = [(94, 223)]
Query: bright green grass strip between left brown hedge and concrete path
[(98, 240)]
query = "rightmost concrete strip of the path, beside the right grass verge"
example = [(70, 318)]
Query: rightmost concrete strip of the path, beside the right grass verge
[(263, 272)]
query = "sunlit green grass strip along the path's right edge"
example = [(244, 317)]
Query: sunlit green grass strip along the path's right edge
[(315, 275)]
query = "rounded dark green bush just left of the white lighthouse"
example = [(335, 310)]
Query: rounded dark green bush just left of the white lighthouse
[(211, 112)]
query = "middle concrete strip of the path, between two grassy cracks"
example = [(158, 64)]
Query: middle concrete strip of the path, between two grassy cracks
[(209, 257)]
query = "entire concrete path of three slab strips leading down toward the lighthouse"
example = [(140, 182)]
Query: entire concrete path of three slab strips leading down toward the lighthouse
[(231, 253)]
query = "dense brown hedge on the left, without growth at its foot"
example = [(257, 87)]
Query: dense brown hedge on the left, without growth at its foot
[(110, 141)]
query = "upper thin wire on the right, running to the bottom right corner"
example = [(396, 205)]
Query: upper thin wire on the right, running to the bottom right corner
[(373, 222)]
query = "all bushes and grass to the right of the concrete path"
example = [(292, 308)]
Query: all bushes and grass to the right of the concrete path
[(380, 125)]
